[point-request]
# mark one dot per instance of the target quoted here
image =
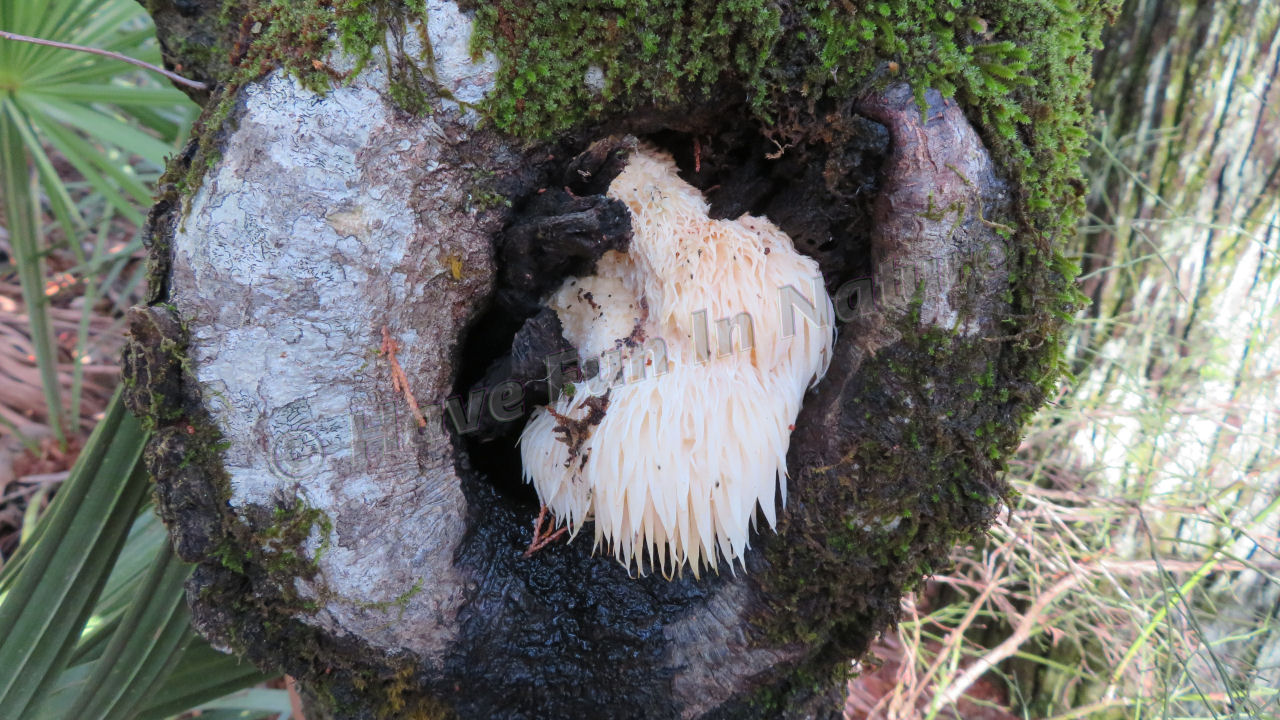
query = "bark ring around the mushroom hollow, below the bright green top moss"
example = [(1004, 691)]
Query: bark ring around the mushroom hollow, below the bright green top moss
[(356, 540)]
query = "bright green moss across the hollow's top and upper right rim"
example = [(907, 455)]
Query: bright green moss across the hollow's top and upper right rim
[(1021, 70)]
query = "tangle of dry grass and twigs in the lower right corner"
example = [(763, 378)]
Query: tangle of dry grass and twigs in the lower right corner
[(1139, 576)]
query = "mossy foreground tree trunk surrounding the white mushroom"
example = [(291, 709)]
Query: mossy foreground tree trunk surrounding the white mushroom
[(363, 226)]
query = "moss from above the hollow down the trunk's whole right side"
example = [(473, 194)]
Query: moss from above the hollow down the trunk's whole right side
[(1022, 74)]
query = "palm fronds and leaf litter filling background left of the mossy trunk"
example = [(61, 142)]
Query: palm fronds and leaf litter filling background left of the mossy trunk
[(93, 614)]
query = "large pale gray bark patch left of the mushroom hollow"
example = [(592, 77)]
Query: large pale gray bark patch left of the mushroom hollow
[(330, 218)]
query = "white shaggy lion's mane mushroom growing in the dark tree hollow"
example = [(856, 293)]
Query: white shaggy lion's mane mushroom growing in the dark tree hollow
[(682, 434)]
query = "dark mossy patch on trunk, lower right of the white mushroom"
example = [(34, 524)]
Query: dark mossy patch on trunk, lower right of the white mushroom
[(917, 481)]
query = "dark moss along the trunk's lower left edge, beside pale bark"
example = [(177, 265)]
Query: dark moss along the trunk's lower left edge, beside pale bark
[(259, 554)]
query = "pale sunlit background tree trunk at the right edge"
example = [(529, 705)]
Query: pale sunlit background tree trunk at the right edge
[(1181, 266)]
